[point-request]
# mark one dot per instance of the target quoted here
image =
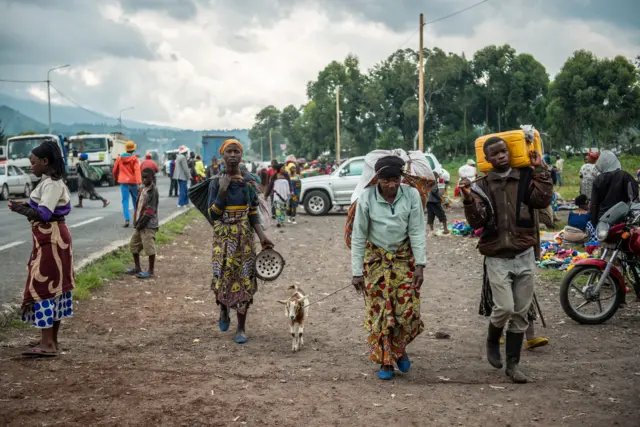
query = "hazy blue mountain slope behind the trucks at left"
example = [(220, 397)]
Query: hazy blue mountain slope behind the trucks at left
[(20, 115)]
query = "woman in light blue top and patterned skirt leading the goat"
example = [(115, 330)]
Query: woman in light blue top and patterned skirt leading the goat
[(388, 256)]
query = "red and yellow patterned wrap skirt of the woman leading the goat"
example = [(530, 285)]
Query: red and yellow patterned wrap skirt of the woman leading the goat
[(392, 303)]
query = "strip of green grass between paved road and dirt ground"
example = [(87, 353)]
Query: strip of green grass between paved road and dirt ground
[(113, 265)]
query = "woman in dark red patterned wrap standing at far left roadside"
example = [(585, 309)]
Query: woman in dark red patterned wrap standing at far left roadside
[(48, 291)]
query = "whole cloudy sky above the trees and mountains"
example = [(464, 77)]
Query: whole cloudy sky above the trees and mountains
[(215, 63)]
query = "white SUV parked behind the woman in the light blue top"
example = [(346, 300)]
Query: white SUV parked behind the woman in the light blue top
[(323, 192)]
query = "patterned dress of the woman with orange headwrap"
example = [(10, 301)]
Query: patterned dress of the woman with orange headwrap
[(234, 254)]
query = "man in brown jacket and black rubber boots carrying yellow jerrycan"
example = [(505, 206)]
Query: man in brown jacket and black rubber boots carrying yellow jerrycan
[(502, 204)]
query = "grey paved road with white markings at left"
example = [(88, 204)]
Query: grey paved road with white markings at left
[(92, 229)]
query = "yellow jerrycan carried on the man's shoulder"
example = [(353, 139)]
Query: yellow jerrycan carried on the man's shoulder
[(519, 142)]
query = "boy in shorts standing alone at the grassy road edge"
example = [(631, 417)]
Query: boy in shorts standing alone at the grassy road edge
[(145, 221)]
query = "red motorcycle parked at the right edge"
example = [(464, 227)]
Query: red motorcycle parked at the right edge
[(599, 283)]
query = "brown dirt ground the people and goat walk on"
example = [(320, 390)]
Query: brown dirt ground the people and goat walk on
[(149, 353)]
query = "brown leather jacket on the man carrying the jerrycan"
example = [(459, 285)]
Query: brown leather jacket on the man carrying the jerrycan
[(505, 208)]
